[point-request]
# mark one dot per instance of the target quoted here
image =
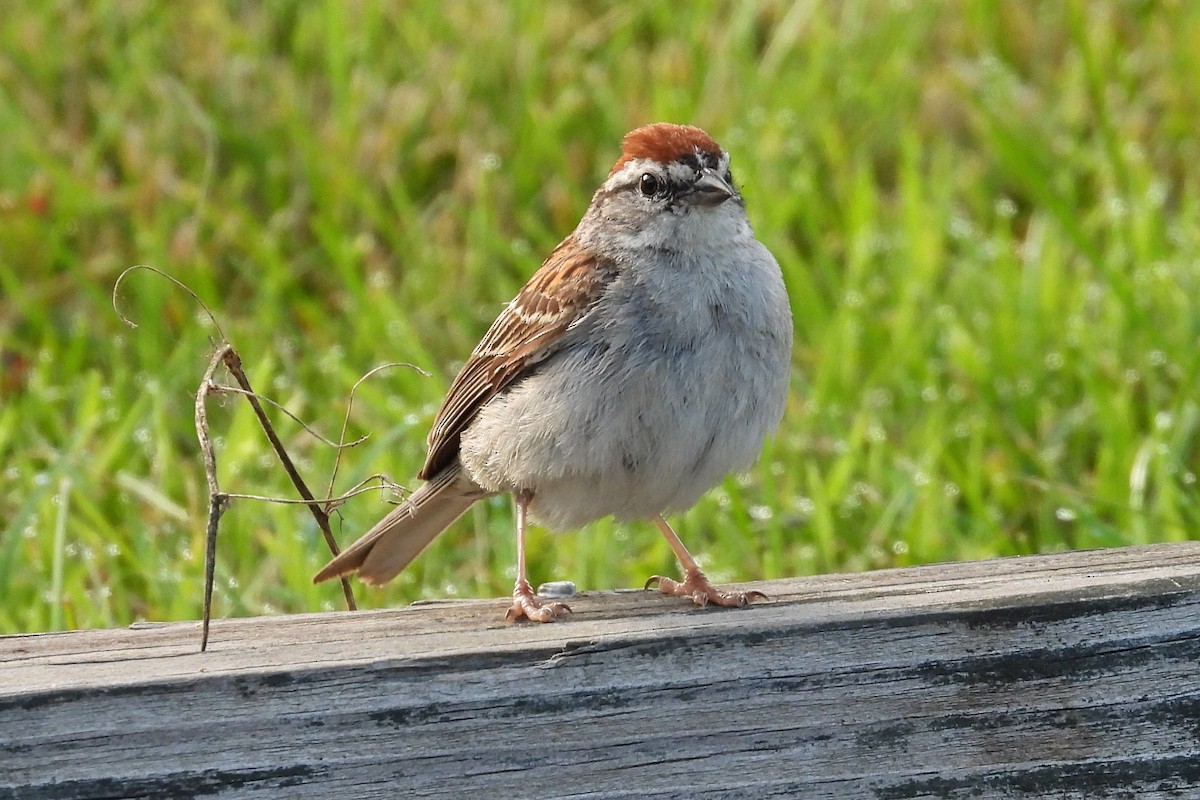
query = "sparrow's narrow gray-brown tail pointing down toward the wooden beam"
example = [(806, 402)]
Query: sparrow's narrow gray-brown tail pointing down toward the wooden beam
[(380, 555)]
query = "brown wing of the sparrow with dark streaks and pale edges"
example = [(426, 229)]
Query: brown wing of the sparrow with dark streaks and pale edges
[(559, 294)]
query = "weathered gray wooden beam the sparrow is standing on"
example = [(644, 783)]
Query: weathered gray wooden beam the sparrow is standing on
[(1073, 676)]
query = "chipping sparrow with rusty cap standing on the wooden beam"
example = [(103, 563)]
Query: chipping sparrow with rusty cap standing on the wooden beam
[(643, 363)]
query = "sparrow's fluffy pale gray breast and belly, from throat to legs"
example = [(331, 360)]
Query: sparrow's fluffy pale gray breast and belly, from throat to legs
[(656, 395)]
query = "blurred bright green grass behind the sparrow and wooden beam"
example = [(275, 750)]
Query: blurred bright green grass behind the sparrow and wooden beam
[(987, 215)]
